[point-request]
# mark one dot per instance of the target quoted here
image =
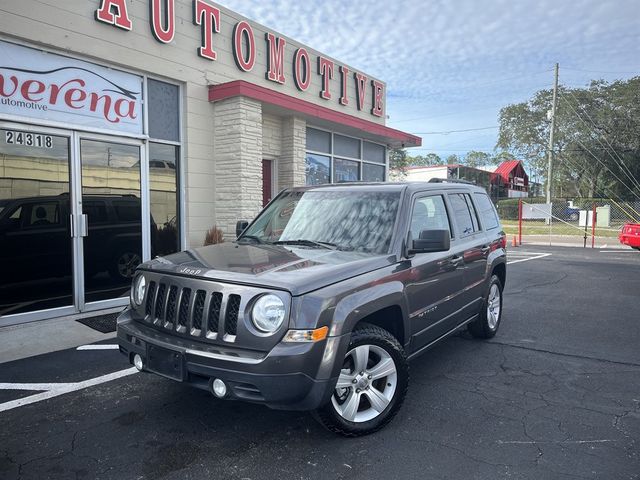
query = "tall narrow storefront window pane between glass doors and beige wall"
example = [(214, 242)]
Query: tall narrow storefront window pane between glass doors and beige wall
[(163, 182)]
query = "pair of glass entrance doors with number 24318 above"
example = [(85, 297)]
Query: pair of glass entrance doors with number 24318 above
[(71, 223)]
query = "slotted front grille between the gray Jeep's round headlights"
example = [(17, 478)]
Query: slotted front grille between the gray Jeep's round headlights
[(194, 313)]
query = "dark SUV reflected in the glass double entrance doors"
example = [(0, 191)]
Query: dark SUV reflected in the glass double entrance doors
[(35, 239)]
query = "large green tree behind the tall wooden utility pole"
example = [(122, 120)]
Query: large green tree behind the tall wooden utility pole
[(597, 139)]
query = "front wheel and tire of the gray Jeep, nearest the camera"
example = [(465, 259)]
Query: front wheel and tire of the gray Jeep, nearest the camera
[(382, 355)]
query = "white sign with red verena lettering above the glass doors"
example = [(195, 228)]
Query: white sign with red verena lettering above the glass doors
[(50, 87)]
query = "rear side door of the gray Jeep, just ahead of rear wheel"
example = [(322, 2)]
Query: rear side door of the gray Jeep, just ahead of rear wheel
[(472, 245)]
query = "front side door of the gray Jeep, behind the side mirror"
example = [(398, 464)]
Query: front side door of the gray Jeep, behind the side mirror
[(435, 280)]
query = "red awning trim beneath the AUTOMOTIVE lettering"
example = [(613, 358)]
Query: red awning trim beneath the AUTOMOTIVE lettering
[(240, 88)]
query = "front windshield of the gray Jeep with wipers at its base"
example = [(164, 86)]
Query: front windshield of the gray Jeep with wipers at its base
[(354, 221)]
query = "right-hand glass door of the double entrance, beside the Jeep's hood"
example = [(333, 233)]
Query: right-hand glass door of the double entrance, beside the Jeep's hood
[(111, 219)]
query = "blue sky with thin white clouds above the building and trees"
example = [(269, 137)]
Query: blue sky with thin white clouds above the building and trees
[(451, 65)]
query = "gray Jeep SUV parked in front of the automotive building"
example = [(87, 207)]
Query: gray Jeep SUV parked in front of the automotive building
[(322, 300)]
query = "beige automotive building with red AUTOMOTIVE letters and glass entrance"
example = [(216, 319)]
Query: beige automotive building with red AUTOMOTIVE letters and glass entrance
[(129, 129)]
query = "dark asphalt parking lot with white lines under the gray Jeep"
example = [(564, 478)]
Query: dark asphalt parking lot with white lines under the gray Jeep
[(555, 395)]
